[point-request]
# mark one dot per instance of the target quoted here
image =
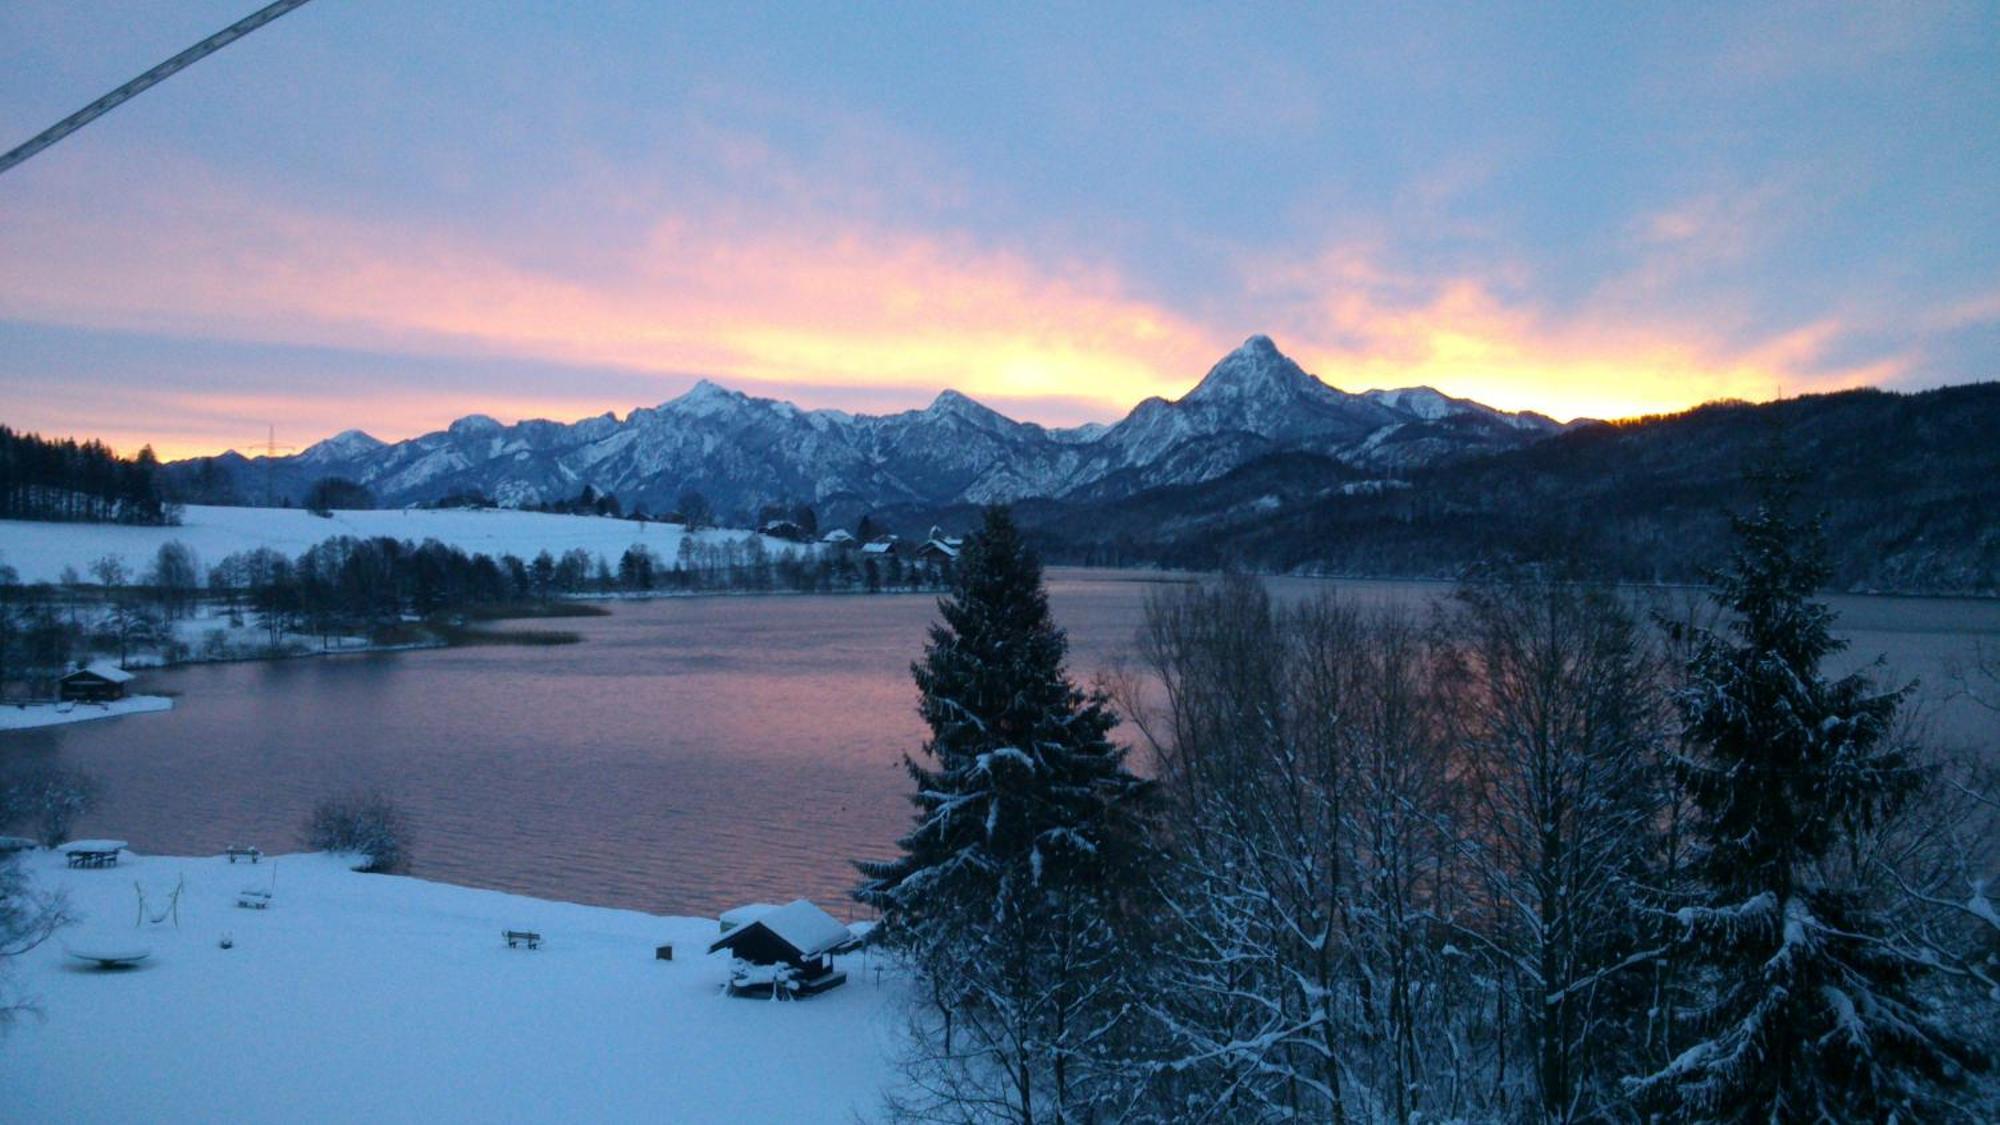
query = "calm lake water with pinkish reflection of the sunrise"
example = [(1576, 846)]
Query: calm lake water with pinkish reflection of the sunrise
[(689, 756)]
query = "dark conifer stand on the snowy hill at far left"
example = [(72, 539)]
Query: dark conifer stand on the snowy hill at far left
[(45, 479)]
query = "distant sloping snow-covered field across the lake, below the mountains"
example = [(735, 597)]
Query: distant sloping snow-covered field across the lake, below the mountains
[(43, 549)]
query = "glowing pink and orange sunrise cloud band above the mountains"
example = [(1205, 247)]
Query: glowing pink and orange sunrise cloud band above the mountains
[(821, 315)]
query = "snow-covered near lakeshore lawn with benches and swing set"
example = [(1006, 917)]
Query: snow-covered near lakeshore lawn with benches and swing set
[(371, 998)]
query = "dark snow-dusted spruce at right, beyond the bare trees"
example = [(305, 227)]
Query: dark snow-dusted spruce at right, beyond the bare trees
[(1803, 1010)]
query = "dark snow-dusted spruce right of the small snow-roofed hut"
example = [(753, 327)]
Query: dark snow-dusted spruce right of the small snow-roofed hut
[(1013, 888)]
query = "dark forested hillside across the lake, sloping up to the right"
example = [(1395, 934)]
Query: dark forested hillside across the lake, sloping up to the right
[(1909, 483)]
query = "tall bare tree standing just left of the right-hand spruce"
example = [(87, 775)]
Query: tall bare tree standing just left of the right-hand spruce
[(1559, 734)]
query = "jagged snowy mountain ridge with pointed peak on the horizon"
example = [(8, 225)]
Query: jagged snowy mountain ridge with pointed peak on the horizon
[(743, 451)]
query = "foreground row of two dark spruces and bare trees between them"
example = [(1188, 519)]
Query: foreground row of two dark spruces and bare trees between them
[(1535, 856)]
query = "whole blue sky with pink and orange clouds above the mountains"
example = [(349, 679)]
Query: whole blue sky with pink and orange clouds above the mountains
[(389, 215)]
